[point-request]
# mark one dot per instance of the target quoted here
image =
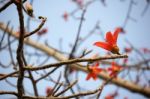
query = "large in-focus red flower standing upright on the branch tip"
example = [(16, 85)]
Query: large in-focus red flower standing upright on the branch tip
[(111, 42)]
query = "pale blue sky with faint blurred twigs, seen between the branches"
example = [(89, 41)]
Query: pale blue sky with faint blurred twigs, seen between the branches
[(63, 19)]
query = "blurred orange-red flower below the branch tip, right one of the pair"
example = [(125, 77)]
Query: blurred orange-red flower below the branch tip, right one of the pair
[(114, 69)]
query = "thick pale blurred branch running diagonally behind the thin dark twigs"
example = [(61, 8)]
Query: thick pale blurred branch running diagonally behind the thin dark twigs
[(57, 55)]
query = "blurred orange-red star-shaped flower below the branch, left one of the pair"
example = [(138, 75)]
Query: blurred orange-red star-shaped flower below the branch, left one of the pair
[(93, 71)]
